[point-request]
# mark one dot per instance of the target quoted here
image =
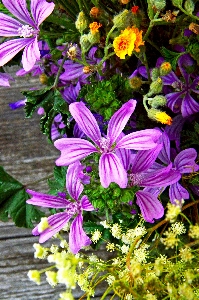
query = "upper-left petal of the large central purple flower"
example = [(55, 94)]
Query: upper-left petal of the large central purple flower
[(86, 121)]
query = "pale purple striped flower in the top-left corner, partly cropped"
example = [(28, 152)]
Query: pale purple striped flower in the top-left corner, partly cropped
[(28, 30)]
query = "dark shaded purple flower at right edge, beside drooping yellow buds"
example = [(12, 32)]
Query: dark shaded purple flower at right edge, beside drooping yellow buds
[(180, 99)]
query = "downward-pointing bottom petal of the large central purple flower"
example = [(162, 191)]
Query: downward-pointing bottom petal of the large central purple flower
[(112, 170)]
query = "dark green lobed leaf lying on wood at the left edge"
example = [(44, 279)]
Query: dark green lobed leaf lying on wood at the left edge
[(13, 202)]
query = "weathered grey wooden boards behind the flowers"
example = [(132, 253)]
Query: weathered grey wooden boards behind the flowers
[(27, 156)]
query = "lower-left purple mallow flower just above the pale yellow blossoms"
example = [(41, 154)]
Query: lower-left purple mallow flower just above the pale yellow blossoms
[(73, 208)]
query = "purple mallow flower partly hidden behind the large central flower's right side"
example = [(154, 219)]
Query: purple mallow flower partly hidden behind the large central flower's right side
[(138, 166)]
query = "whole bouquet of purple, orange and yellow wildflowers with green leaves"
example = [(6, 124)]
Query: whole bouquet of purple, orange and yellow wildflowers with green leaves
[(119, 97)]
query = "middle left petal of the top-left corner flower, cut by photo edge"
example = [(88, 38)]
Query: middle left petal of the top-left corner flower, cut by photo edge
[(9, 26)]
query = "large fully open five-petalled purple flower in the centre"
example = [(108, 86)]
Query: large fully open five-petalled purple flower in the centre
[(110, 167)]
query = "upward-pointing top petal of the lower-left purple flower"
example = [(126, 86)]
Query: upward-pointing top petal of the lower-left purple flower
[(73, 183)]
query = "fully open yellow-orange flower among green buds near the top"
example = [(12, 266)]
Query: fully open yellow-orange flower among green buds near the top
[(128, 41)]
